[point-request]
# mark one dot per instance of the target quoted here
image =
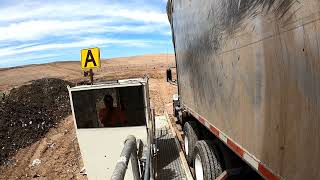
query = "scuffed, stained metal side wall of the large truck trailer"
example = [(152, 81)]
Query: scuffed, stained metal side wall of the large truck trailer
[(251, 70)]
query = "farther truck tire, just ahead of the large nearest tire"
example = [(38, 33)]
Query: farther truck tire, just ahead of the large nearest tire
[(191, 137)]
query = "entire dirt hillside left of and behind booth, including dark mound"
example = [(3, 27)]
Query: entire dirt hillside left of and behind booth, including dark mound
[(36, 114)]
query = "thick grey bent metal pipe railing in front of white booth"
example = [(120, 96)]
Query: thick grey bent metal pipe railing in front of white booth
[(129, 150)]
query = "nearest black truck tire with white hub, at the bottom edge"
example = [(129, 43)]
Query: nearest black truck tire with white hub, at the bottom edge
[(210, 161)]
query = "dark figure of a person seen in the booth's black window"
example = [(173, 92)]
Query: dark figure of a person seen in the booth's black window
[(110, 116)]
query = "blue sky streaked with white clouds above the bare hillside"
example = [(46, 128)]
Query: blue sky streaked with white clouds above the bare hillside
[(33, 32)]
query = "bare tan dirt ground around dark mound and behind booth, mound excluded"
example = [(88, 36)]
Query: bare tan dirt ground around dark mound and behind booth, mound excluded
[(58, 152)]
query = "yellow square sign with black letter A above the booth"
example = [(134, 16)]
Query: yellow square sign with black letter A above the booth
[(90, 58)]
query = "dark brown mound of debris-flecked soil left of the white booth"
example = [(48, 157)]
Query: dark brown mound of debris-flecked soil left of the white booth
[(29, 112)]
